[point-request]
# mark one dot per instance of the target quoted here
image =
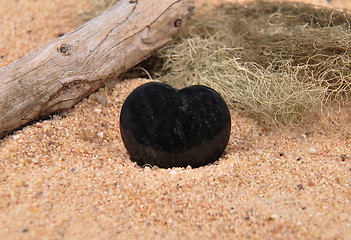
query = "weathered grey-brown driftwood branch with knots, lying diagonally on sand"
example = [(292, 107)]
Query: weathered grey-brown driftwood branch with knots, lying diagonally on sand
[(58, 75)]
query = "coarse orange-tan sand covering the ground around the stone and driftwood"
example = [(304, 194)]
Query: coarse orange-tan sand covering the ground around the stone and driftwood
[(70, 177)]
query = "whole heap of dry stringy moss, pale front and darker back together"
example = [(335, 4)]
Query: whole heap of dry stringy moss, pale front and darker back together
[(280, 60)]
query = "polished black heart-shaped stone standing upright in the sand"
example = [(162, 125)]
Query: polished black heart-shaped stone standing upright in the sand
[(167, 127)]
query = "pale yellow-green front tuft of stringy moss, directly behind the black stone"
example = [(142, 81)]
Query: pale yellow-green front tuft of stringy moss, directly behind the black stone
[(275, 93)]
